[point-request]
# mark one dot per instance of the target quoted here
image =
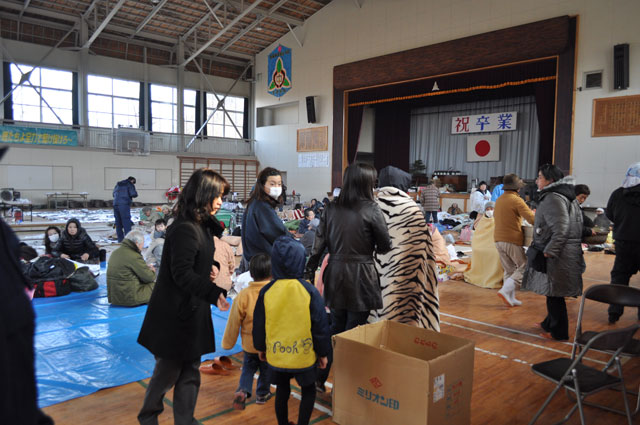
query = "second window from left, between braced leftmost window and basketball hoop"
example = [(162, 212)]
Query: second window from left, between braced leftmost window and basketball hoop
[(113, 103)]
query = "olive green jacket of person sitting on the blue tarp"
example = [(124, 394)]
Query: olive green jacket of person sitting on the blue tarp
[(129, 280)]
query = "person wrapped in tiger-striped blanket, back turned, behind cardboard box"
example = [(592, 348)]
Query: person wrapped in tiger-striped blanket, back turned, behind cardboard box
[(407, 272)]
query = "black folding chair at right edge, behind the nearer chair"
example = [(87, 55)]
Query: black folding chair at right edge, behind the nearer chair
[(609, 294)]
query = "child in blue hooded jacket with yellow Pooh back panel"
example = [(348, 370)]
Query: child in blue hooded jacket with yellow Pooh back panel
[(290, 329)]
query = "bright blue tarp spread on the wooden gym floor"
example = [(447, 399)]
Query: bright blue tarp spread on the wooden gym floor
[(83, 344)]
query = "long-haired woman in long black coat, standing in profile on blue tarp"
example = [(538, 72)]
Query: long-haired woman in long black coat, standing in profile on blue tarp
[(177, 327)]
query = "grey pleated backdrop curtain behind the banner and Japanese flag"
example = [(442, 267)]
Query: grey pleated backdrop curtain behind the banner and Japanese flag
[(432, 142)]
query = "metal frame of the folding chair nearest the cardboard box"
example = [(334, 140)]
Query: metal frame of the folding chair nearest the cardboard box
[(570, 378)]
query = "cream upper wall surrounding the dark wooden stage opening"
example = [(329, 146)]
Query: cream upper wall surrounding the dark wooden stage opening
[(342, 33)]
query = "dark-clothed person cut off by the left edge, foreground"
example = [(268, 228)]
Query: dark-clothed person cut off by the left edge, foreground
[(18, 404)]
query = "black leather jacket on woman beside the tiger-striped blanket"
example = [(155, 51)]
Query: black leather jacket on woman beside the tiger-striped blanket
[(351, 235)]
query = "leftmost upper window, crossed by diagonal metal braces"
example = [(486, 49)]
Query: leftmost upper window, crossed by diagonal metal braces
[(55, 88)]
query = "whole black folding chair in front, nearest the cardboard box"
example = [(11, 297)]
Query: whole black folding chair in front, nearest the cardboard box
[(584, 380)]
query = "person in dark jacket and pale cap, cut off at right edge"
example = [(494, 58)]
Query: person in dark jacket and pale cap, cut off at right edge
[(623, 209)]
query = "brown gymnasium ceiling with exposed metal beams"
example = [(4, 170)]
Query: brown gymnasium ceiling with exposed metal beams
[(222, 36)]
